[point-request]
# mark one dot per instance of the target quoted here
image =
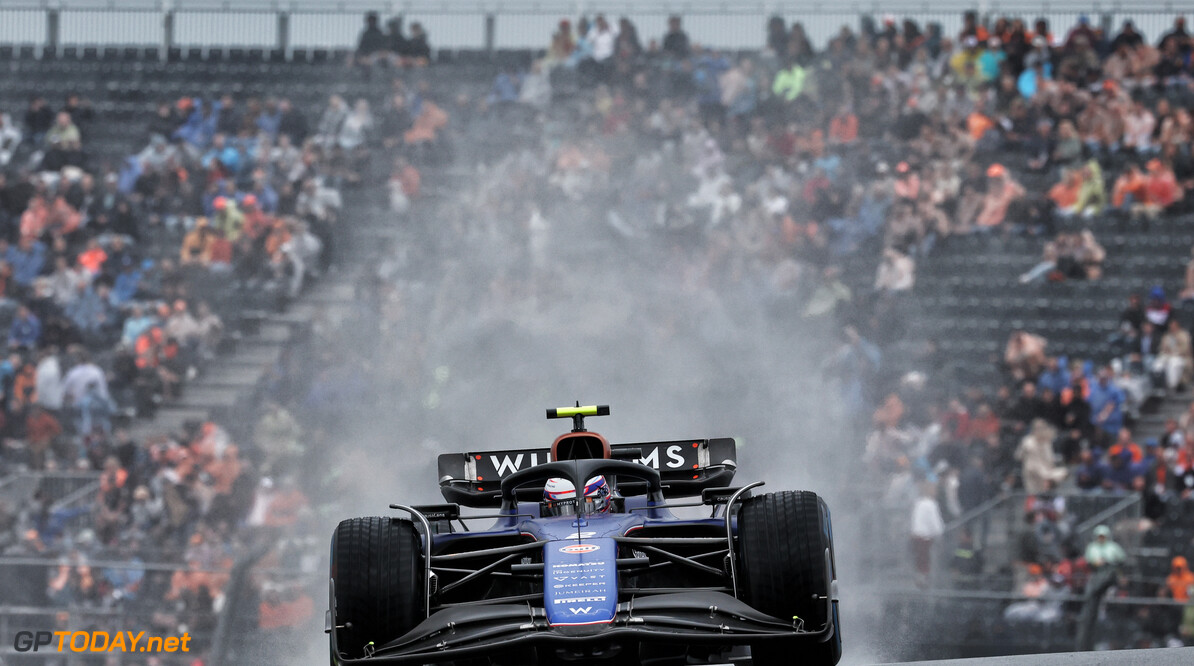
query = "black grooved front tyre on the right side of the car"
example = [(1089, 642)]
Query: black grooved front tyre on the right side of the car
[(781, 565)]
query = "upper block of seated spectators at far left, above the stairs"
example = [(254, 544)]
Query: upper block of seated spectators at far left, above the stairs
[(119, 270)]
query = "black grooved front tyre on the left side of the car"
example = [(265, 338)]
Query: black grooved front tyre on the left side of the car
[(379, 573)]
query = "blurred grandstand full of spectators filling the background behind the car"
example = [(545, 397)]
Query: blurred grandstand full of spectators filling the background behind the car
[(235, 446)]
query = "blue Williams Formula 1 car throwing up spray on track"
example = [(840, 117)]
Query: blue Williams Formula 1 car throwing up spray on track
[(587, 564)]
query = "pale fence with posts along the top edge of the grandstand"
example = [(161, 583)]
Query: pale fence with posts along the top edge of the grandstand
[(51, 27)]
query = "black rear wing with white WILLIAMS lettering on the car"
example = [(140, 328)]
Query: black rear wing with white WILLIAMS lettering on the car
[(686, 468)]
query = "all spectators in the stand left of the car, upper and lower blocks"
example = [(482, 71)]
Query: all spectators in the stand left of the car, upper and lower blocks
[(116, 277)]
